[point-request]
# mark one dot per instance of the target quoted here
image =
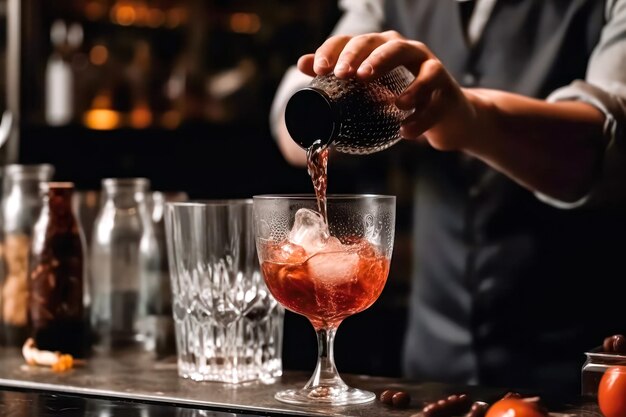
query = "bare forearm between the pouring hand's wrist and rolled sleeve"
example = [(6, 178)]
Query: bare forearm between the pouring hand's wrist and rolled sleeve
[(551, 148)]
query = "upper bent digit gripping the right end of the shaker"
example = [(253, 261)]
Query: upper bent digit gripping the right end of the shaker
[(432, 76)]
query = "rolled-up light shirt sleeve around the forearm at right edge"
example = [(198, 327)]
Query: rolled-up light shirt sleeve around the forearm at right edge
[(604, 87)]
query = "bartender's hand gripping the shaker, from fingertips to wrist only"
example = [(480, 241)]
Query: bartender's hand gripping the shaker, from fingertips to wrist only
[(442, 111)]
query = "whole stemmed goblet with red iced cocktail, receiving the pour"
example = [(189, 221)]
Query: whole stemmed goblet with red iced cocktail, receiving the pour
[(325, 271)]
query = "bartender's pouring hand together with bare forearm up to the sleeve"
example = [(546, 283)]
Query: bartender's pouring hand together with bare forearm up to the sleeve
[(522, 137)]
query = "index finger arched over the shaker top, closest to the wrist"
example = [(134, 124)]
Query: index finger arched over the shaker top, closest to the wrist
[(391, 54)]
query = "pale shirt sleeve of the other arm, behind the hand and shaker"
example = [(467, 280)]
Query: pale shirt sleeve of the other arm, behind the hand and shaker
[(358, 16)]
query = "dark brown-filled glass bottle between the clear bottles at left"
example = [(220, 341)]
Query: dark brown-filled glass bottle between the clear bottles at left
[(57, 275)]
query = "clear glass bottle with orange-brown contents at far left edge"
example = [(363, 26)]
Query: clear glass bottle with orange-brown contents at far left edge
[(22, 201)]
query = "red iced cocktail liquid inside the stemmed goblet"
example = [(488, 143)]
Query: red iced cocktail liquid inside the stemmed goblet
[(328, 286)]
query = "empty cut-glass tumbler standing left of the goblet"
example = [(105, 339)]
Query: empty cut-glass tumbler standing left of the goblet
[(228, 326)]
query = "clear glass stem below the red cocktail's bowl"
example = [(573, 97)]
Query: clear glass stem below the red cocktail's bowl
[(325, 380)]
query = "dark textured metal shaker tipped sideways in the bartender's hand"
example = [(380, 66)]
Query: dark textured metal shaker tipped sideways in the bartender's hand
[(353, 116)]
